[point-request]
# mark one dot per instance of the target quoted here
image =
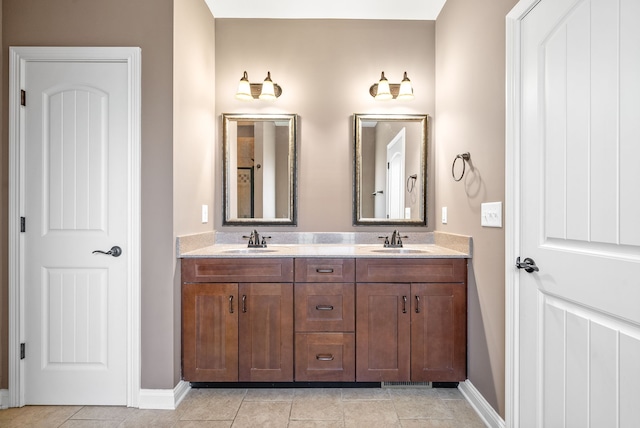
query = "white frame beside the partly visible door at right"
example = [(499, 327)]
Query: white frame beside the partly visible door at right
[(512, 206)]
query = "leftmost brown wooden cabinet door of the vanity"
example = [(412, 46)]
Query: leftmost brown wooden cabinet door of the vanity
[(210, 332)]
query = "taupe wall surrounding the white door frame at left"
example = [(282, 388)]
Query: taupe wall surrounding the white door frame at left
[(148, 24)]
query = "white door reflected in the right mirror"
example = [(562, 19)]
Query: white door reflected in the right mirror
[(395, 176)]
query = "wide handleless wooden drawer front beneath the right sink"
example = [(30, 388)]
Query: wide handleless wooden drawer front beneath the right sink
[(411, 270)]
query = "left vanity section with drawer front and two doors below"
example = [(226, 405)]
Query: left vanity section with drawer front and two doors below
[(237, 320)]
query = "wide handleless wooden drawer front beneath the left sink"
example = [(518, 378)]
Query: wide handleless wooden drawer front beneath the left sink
[(238, 270)]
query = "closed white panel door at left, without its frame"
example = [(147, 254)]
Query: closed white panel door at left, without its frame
[(76, 201)]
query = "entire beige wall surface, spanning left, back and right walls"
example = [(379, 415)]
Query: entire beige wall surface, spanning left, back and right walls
[(302, 56)]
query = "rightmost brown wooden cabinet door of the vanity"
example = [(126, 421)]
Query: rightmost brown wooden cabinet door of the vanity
[(438, 332)]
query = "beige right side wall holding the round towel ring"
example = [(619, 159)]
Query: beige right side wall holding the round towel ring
[(470, 117)]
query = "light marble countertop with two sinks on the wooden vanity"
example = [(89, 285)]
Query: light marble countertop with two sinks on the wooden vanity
[(326, 250)]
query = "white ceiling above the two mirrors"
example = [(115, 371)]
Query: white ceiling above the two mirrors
[(327, 9)]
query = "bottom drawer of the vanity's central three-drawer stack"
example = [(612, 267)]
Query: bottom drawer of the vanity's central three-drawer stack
[(325, 357)]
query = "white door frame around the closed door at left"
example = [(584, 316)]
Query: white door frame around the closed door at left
[(18, 57)]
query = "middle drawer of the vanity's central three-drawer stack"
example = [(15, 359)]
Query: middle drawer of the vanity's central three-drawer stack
[(324, 307)]
